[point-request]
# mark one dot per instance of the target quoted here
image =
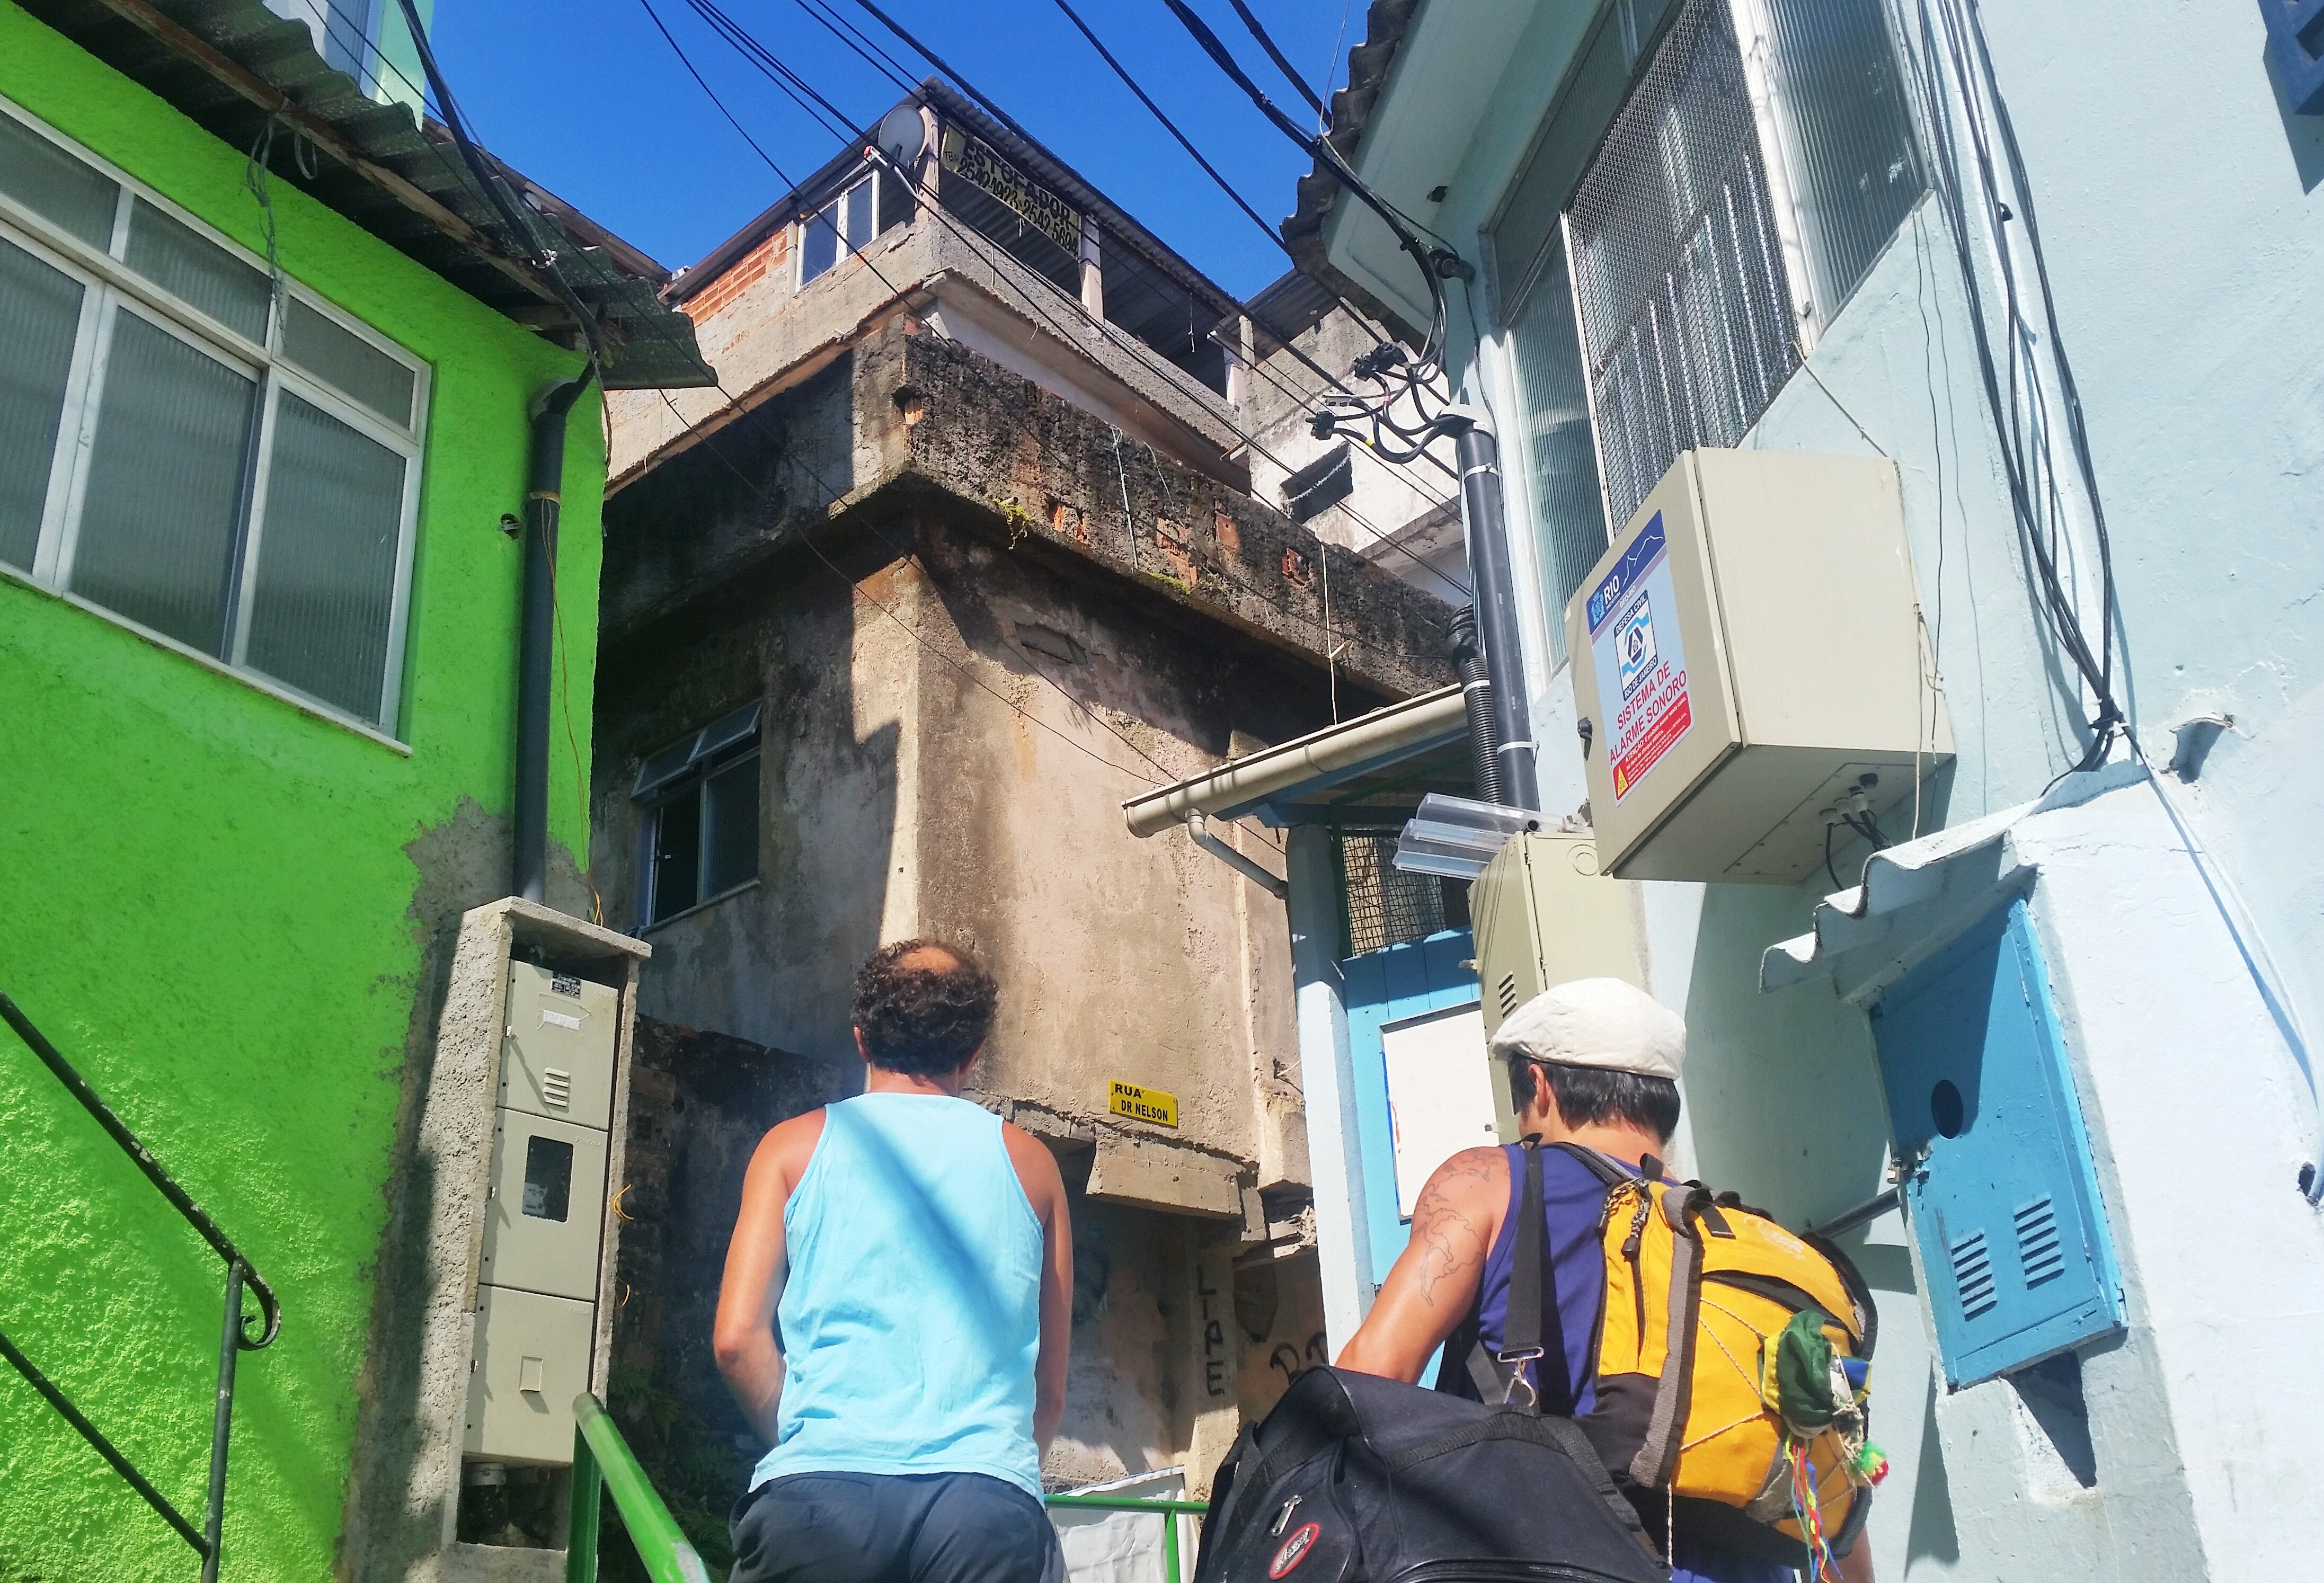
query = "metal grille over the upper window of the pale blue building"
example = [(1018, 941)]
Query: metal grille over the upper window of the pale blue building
[(1686, 308)]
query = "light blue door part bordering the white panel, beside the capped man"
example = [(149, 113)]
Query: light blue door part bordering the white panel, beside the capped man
[(1389, 987)]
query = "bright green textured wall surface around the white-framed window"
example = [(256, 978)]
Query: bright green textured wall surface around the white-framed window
[(206, 901)]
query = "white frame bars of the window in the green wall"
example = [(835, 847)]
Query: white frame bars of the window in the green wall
[(110, 289)]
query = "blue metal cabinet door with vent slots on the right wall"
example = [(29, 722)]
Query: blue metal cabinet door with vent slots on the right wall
[(2004, 1203)]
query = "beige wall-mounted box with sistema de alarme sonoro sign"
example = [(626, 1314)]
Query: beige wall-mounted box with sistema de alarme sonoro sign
[(1749, 657)]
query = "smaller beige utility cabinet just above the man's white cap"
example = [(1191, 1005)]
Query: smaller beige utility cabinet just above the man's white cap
[(1544, 917)]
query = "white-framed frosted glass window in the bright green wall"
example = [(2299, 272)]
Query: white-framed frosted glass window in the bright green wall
[(245, 499)]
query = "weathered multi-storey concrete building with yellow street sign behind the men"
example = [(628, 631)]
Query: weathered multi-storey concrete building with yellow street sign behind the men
[(889, 636)]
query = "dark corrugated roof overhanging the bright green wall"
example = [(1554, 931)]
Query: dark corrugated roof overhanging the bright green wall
[(234, 66)]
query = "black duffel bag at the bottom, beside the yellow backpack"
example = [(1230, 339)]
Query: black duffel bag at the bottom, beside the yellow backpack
[(1358, 1480)]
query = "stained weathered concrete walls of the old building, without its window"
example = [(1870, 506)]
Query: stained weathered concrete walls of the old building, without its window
[(966, 673)]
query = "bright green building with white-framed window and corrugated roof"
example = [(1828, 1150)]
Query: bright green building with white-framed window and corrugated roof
[(268, 380)]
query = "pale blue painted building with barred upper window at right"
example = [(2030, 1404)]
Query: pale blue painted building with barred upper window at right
[(1958, 243)]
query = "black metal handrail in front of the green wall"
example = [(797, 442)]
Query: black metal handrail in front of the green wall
[(231, 1342)]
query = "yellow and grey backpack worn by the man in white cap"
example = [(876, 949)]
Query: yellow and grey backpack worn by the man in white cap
[(1730, 1366)]
